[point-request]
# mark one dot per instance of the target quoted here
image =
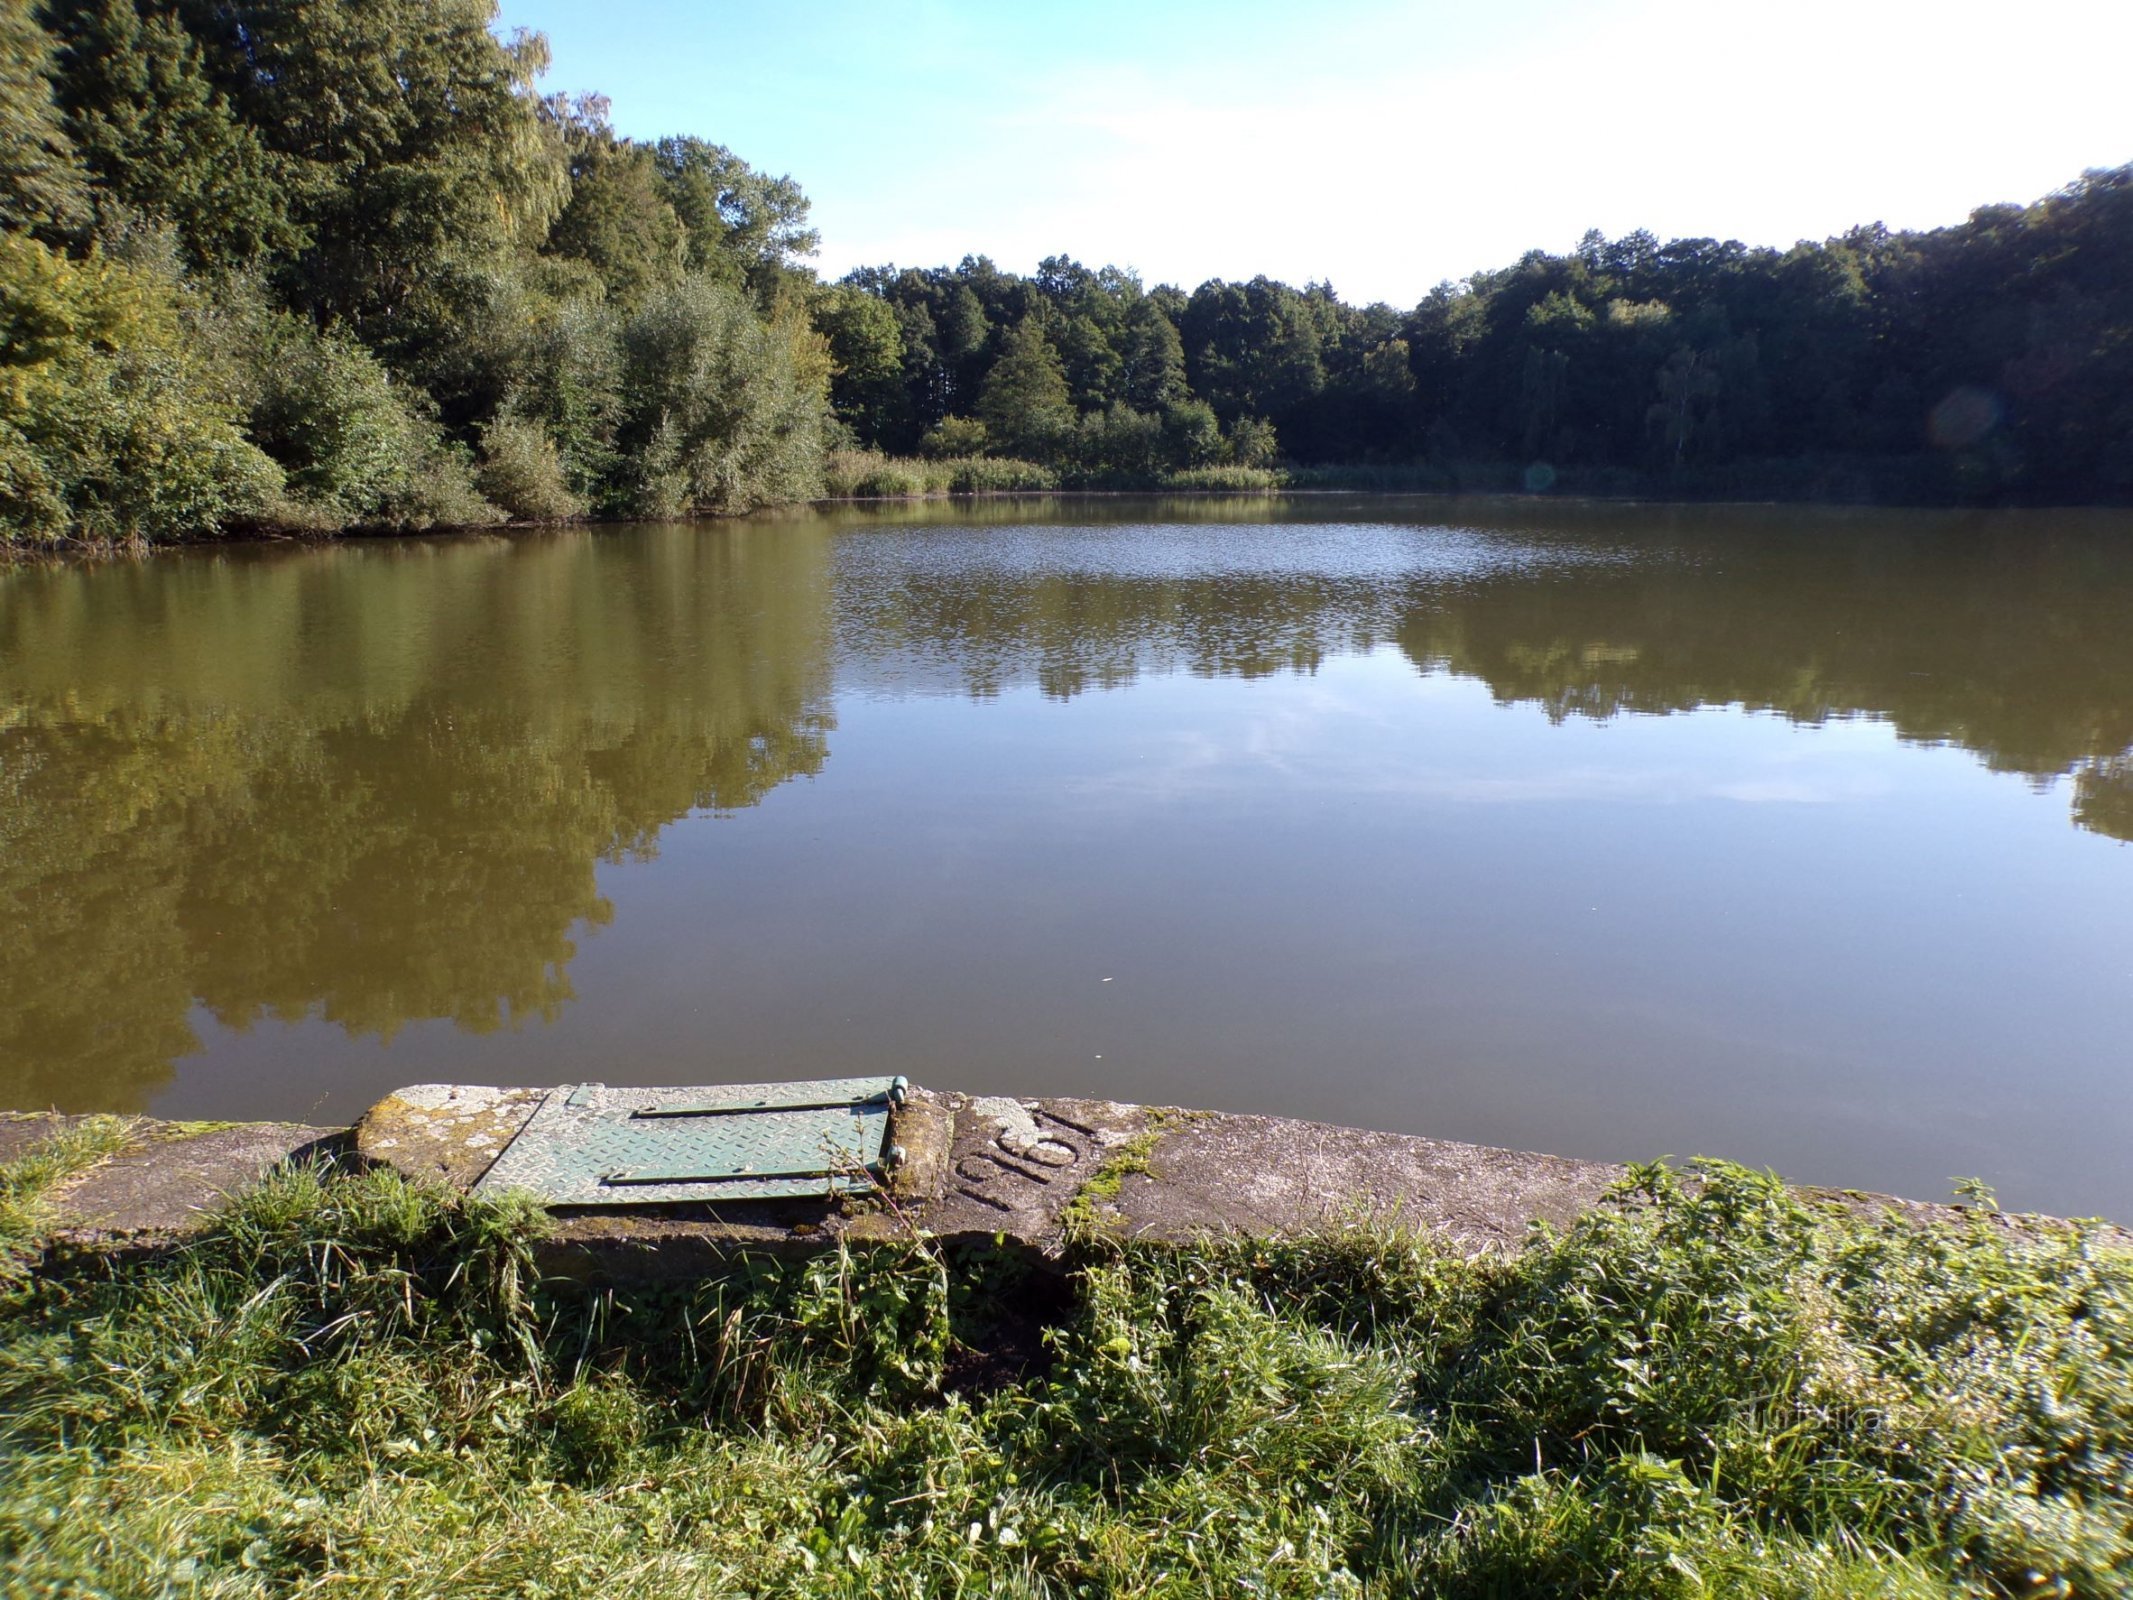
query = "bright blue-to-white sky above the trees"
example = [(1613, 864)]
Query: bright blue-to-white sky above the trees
[(1383, 148)]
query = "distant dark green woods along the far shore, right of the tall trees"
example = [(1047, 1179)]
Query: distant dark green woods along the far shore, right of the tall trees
[(1991, 359)]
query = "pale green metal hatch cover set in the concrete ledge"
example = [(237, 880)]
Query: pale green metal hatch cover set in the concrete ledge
[(590, 1145)]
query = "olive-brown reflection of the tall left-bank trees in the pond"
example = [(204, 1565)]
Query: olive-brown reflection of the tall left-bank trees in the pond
[(368, 784)]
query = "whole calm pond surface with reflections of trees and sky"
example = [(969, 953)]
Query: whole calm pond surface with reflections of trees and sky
[(1795, 837)]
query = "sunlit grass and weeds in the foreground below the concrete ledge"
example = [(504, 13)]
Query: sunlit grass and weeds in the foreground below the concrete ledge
[(355, 1386)]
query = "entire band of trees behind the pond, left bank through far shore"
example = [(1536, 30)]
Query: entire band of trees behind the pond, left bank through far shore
[(344, 266)]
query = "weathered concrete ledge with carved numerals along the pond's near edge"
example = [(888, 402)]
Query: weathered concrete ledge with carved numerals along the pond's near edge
[(1040, 1174)]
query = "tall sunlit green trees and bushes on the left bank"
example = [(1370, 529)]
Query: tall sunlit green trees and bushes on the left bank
[(342, 266)]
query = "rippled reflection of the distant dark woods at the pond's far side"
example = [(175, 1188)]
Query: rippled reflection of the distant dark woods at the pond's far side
[(1995, 633)]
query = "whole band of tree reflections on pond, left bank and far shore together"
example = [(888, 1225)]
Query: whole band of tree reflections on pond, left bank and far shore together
[(374, 784)]
